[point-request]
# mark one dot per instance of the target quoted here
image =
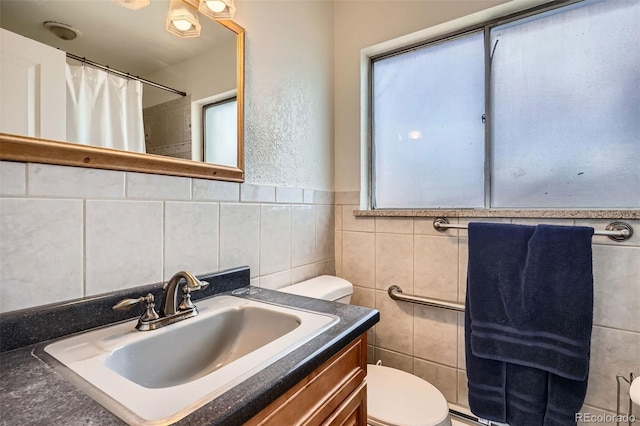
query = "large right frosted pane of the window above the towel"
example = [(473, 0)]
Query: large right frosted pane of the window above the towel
[(565, 96)]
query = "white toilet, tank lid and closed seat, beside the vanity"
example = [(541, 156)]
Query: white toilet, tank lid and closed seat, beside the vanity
[(394, 397)]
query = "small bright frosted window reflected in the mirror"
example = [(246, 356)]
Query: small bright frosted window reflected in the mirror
[(221, 133)]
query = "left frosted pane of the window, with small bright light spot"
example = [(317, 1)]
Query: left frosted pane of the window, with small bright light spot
[(428, 134)]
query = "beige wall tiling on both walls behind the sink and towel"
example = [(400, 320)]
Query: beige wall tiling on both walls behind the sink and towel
[(94, 231)]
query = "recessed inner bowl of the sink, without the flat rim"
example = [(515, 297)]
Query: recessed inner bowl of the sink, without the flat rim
[(181, 356)]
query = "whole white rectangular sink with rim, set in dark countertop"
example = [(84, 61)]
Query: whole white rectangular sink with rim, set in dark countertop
[(160, 376)]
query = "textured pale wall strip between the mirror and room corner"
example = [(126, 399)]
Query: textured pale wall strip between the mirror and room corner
[(289, 93)]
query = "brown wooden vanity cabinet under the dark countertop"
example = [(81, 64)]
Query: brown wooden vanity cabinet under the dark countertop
[(334, 394)]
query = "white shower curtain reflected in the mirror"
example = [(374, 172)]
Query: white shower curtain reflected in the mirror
[(104, 109)]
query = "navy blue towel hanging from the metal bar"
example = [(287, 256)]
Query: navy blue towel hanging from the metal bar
[(529, 316)]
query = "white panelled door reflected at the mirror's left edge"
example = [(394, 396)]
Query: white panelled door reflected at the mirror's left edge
[(33, 97)]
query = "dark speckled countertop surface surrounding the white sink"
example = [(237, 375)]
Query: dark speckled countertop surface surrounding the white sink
[(33, 393)]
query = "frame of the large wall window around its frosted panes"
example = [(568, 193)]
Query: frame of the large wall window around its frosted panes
[(481, 21)]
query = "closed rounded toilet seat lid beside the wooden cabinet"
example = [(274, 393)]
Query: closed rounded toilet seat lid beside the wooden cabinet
[(395, 397)]
